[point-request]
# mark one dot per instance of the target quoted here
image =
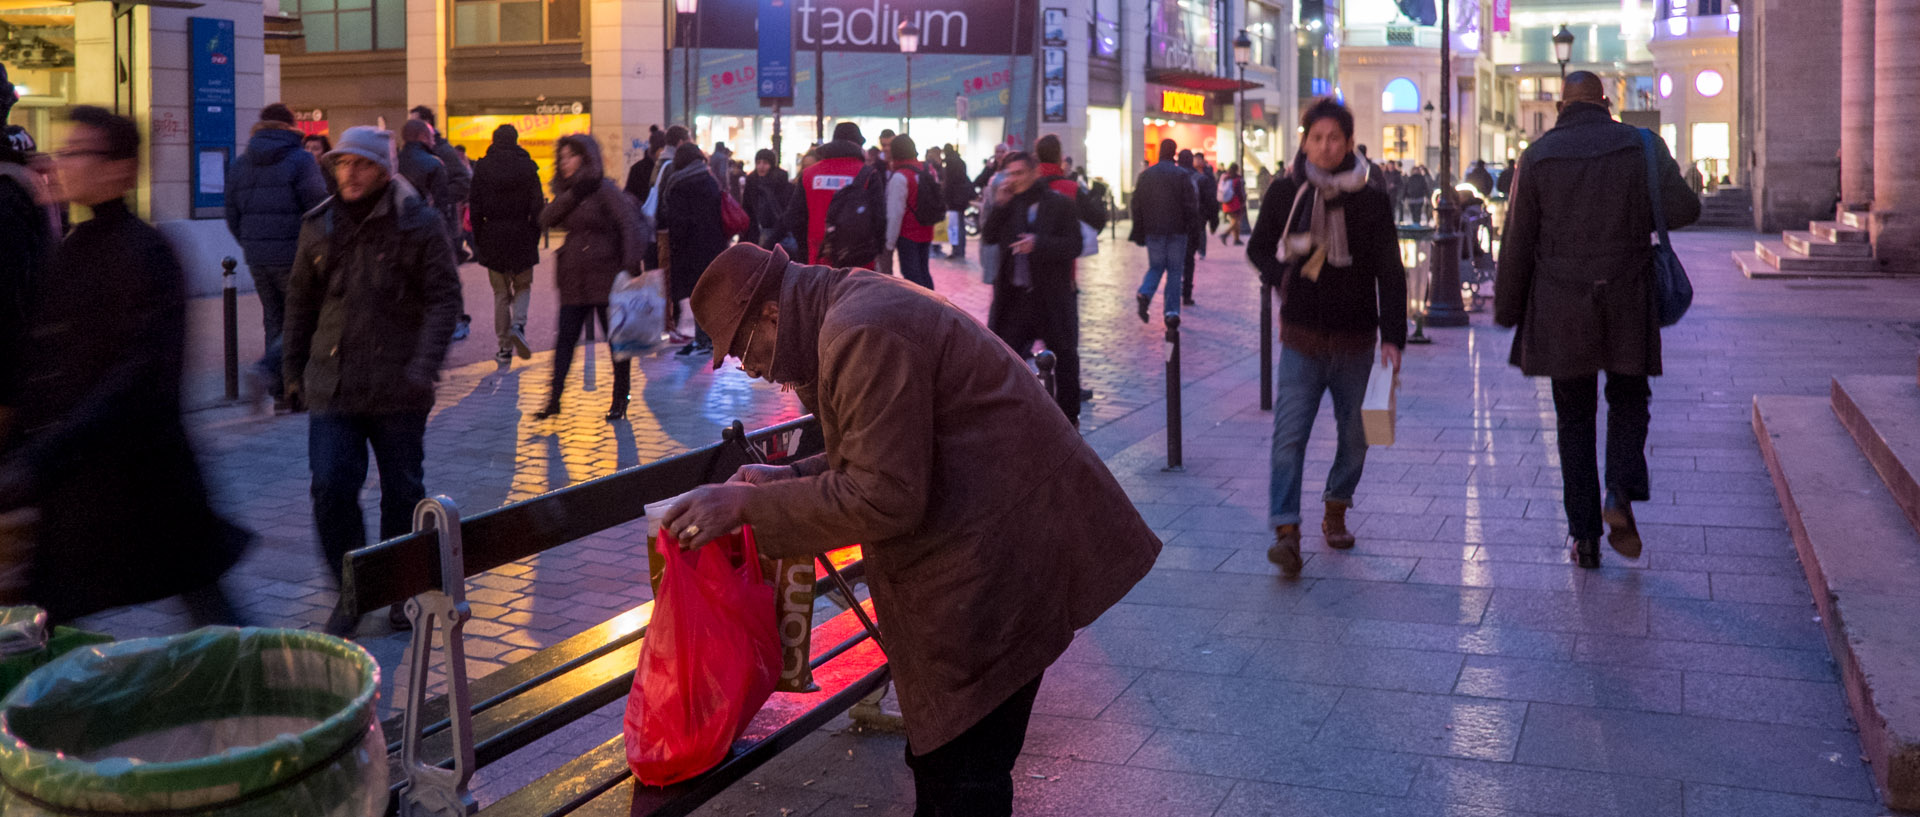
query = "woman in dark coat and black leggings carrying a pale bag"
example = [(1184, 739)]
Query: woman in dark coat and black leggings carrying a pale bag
[(604, 237)]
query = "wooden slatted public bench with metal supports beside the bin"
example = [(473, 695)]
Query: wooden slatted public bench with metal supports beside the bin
[(435, 745)]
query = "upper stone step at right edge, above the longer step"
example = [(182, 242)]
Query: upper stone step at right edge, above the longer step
[(1883, 413)]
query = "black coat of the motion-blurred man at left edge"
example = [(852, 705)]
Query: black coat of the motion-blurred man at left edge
[(124, 509)]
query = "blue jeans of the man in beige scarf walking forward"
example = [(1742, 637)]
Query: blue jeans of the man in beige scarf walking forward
[(1301, 385)]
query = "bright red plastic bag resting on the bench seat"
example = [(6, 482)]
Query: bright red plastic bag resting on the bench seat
[(709, 663)]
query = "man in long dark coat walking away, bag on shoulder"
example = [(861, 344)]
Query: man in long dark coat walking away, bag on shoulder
[(1577, 281)]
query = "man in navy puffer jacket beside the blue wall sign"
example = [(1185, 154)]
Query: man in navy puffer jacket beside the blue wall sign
[(270, 189)]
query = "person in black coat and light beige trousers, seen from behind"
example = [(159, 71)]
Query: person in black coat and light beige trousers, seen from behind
[(506, 212)]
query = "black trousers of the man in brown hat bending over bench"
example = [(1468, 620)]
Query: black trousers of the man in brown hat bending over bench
[(972, 776)]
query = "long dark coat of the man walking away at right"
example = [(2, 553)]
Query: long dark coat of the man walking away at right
[(1577, 264)]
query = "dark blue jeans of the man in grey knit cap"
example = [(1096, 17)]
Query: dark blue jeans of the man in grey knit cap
[(337, 455)]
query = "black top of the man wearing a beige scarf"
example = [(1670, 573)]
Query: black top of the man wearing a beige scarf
[(1364, 300)]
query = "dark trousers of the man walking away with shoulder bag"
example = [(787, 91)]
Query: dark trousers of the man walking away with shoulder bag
[(1575, 404)]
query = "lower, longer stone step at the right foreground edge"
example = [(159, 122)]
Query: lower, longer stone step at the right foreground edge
[(1863, 561)]
